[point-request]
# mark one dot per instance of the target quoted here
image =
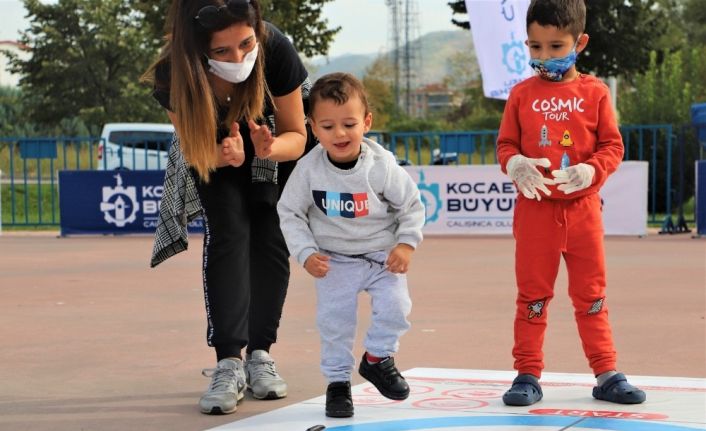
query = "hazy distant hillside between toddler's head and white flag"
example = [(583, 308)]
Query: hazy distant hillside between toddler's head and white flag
[(437, 48)]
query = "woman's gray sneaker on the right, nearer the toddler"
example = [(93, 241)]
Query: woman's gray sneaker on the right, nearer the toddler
[(262, 377)]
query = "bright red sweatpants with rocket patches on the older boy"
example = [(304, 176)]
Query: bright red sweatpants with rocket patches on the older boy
[(544, 231)]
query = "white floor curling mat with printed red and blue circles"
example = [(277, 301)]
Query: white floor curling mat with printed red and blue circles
[(456, 400)]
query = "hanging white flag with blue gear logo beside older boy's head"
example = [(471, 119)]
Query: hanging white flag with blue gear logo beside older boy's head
[(499, 32)]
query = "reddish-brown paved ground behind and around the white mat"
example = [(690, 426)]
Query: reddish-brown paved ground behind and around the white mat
[(92, 339)]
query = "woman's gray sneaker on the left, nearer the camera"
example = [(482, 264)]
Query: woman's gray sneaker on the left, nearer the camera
[(226, 389)]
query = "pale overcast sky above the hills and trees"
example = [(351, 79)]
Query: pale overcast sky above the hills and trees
[(363, 22)]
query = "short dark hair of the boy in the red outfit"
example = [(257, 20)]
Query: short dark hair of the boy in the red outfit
[(569, 15)]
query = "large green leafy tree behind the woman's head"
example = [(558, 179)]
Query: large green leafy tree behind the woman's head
[(88, 56)]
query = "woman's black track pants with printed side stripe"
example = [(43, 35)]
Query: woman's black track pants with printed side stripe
[(245, 263)]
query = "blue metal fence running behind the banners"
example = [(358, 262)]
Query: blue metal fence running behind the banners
[(30, 166)]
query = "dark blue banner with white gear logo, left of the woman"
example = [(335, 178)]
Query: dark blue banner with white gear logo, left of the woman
[(103, 202)]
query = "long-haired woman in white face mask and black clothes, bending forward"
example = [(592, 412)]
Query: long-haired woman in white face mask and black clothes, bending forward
[(222, 71)]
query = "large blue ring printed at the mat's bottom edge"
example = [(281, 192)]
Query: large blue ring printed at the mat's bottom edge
[(505, 423)]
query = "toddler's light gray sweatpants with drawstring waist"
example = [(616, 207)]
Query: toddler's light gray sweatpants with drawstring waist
[(337, 307)]
